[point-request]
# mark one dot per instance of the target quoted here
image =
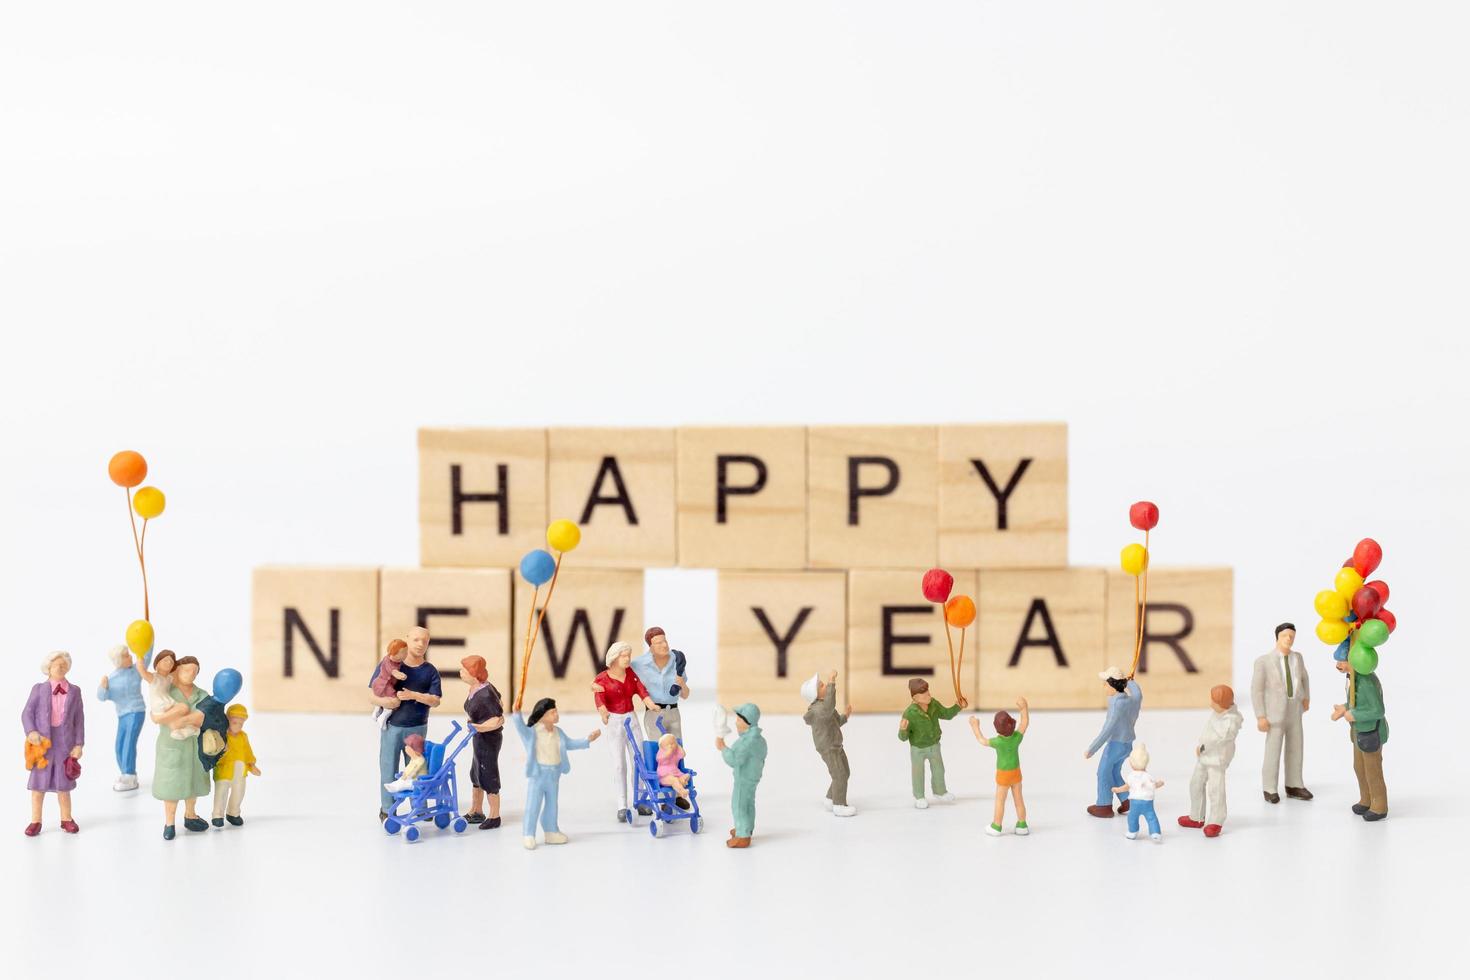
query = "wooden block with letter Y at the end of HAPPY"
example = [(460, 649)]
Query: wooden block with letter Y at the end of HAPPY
[(1003, 496)]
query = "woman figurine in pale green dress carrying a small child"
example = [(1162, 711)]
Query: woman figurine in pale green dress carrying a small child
[(177, 771)]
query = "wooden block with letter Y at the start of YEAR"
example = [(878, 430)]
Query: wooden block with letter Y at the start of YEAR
[(775, 631)]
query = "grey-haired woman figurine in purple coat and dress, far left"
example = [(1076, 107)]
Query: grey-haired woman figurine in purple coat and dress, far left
[(54, 728)]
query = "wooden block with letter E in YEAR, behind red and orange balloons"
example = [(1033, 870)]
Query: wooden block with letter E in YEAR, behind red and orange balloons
[(894, 634)]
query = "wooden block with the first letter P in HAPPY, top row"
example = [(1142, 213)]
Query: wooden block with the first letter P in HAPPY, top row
[(743, 499)]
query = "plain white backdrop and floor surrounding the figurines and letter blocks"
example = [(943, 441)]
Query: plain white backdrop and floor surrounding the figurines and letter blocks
[(264, 245)]
